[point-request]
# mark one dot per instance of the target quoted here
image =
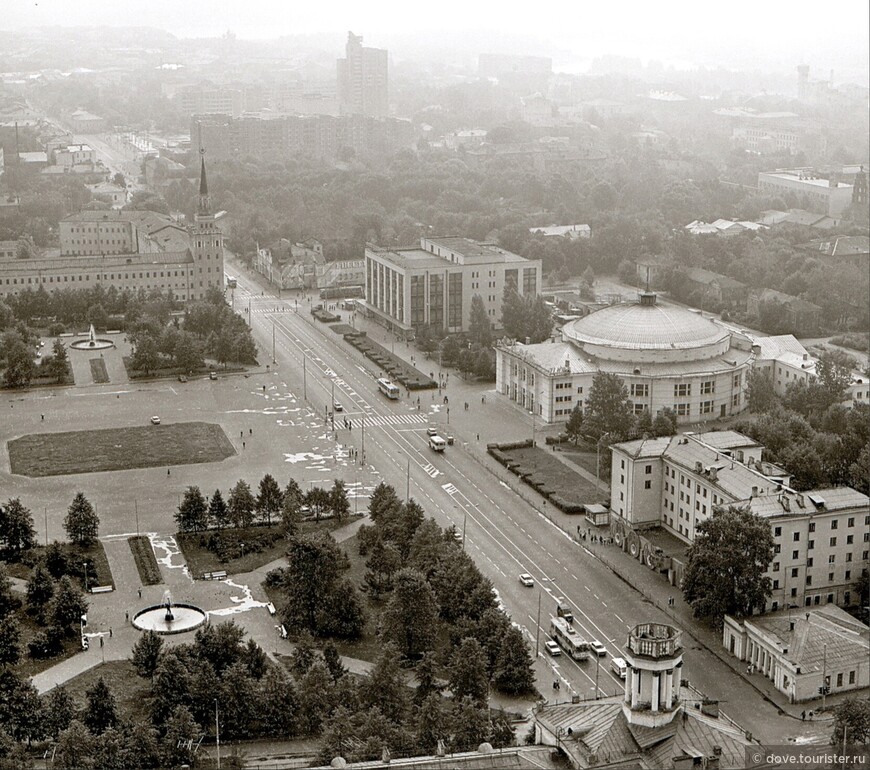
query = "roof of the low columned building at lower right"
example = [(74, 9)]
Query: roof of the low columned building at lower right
[(813, 639)]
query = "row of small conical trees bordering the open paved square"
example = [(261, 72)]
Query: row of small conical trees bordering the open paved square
[(242, 508)]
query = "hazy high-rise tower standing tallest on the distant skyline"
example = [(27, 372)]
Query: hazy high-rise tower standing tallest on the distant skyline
[(363, 81)]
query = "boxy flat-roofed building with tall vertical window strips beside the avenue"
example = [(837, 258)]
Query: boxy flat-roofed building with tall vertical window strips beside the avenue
[(433, 284)]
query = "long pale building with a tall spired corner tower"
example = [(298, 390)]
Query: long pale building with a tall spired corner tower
[(128, 250)]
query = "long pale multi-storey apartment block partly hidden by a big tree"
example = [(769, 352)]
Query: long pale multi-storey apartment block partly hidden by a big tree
[(821, 537)]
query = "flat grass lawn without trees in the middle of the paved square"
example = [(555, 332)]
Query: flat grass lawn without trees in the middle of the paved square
[(118, 449)]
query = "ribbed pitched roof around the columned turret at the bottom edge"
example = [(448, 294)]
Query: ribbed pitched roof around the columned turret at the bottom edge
[(600, 728)]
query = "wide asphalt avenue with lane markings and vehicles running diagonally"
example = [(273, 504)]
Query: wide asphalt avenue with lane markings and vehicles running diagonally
[(503, 534)]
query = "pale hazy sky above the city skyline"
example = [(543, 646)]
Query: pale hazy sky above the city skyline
[(828, 34)]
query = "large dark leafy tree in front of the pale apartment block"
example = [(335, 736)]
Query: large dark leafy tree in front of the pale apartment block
[(726, 564)]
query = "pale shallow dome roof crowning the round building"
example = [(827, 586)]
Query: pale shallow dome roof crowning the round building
[(645, 326)]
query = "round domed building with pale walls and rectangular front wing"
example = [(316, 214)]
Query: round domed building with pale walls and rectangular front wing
[(667, 356)]
